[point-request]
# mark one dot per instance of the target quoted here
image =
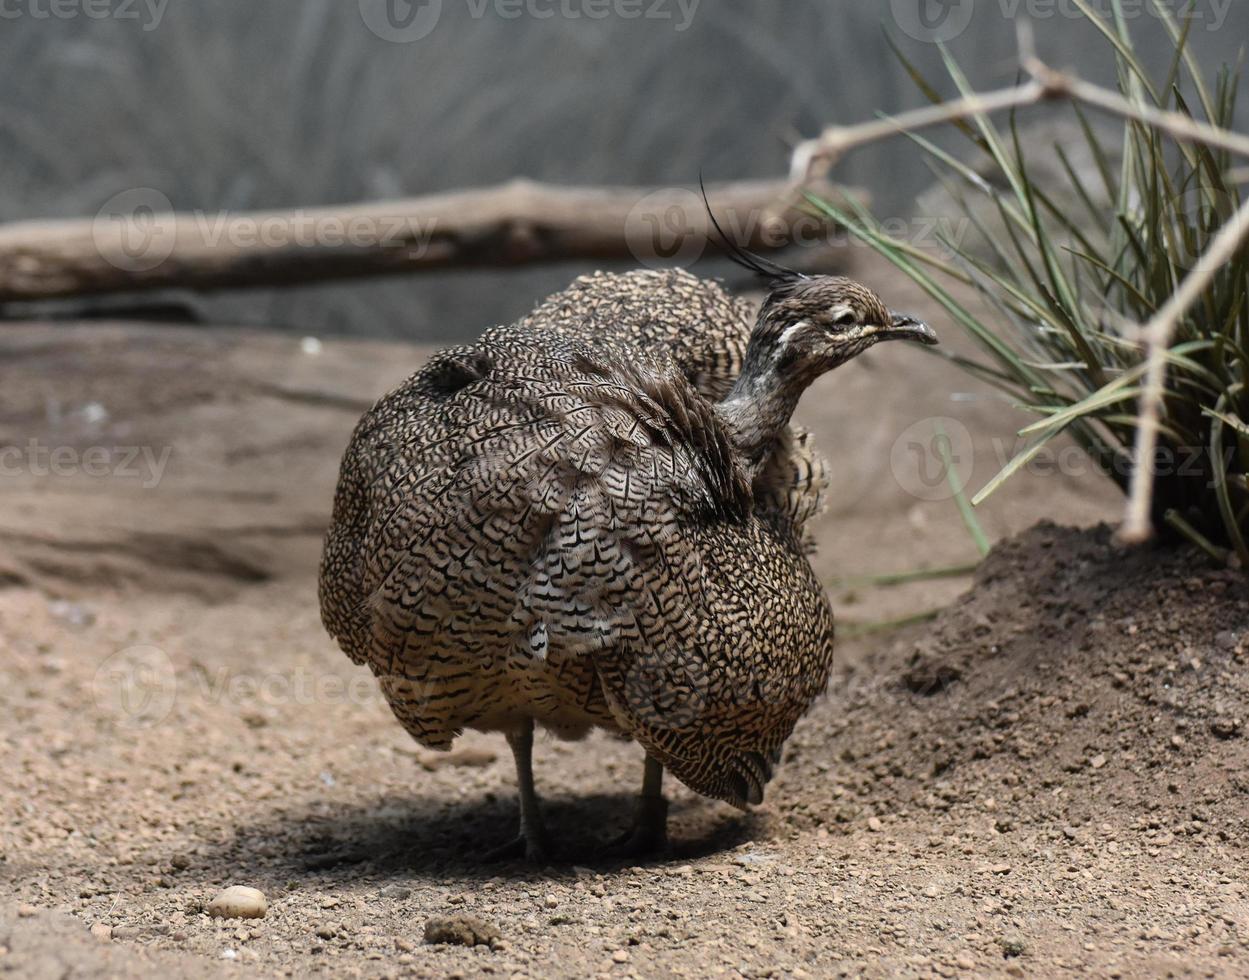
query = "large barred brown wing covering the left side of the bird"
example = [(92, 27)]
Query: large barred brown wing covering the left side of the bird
[(510, 497)]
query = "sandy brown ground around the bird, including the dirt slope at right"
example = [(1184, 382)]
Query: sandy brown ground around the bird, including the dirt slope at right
[(1050, 780)]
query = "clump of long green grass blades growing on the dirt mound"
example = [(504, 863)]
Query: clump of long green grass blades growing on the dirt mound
[(1069, 289)]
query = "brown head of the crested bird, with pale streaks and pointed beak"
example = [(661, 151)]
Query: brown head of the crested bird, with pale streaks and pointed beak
[(814, 324)]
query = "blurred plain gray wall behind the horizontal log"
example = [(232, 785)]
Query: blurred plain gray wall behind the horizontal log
[(247, 104)]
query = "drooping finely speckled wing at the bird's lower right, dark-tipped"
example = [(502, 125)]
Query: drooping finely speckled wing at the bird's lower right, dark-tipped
[(715, 692)]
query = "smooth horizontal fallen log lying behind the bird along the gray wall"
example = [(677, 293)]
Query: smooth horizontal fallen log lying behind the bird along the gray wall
[(139, 243)]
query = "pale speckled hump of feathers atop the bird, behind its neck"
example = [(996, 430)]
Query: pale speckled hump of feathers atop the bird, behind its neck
[(693, 320)]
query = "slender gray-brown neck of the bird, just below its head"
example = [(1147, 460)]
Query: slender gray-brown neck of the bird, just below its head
[(758, 409)]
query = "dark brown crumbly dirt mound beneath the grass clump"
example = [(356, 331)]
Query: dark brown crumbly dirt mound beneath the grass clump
[(1074, 680)]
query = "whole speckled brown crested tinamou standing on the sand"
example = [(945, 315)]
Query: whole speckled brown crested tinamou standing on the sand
[(595, 519)]
